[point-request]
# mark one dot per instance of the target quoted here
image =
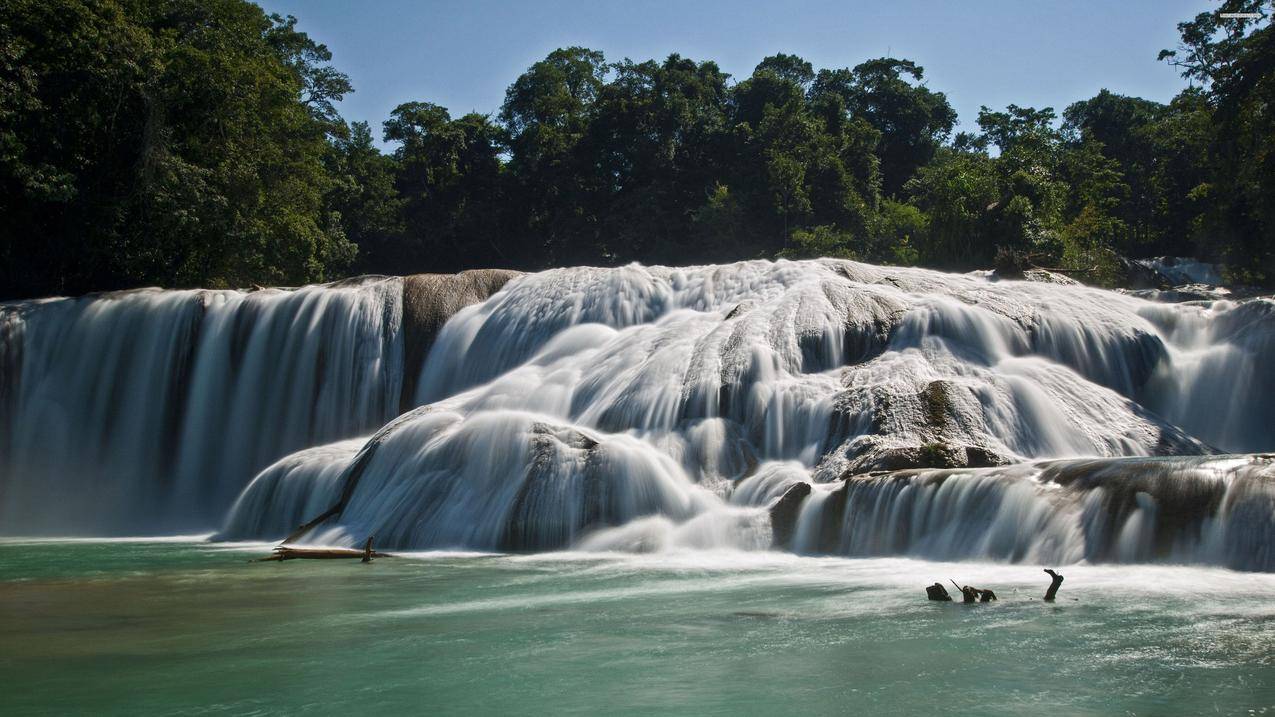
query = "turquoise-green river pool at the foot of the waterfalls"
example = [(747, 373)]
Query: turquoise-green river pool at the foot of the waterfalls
[(189, 628)]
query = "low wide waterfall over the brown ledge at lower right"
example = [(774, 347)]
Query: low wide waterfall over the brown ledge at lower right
[(1217, 511)]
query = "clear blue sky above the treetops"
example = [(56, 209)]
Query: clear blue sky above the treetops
[(1036, 53)]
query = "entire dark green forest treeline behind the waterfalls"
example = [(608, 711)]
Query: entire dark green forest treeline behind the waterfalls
[(197, 144)]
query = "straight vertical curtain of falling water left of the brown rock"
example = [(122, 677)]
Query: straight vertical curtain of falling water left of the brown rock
[(150, 410)]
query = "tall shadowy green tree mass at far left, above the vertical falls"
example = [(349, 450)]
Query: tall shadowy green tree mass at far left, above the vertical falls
[(175, 142)]
